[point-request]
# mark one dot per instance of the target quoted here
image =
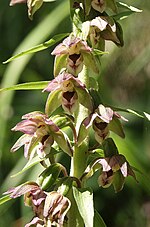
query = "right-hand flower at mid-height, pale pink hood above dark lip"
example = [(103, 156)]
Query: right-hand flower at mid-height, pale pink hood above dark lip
[(104, 120)]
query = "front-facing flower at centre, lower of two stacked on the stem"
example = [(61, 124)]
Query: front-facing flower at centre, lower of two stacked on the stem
[(68, 91)]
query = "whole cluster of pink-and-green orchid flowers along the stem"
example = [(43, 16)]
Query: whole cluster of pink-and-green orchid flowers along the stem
[(42, 131)]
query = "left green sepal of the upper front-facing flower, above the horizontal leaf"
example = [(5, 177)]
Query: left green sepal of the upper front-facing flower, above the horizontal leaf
[(60, 63)]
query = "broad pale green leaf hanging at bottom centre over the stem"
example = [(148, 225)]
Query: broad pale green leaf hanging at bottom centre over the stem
[(84, 200)]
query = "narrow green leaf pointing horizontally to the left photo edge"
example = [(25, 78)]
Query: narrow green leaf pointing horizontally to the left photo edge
[(27, 86)]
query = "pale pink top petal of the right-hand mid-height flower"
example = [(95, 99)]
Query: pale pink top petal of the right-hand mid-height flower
[(106, 113)]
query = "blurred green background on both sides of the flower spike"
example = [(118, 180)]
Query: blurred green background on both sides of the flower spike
[(124, 82)]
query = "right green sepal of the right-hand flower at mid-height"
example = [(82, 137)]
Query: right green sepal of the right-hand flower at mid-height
[(116, 127)]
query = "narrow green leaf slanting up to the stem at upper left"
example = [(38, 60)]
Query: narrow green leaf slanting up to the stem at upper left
[(39, 47)]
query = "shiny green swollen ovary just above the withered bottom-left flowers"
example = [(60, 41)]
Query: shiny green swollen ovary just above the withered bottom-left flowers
[(49, 176)]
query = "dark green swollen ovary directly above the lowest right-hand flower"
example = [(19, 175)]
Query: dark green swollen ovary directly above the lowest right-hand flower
[(109, 147)]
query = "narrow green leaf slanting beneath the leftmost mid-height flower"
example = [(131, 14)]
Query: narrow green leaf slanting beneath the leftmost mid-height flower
[(29, 164)]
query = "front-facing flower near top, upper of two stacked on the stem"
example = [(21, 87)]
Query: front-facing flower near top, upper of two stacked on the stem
[(72, 53)]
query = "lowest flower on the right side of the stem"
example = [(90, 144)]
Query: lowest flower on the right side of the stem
[(114, 171)]
